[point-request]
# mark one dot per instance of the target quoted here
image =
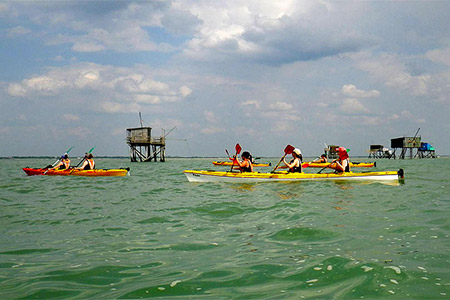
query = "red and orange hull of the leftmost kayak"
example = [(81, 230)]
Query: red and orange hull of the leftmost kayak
[(76, 172)]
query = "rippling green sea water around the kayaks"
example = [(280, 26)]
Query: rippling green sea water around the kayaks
[(155, 235)]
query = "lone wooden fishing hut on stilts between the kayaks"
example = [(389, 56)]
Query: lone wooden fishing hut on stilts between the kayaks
[(143, 147)]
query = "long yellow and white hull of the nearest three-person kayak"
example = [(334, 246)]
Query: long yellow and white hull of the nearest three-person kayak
[(218, 176)]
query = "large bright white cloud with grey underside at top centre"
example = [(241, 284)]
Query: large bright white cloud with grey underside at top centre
[(270, 32)]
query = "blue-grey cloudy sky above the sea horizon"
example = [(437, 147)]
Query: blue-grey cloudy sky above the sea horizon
[(263, 74)]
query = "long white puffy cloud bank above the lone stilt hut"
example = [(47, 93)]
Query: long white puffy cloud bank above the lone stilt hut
[(122, 84)]
